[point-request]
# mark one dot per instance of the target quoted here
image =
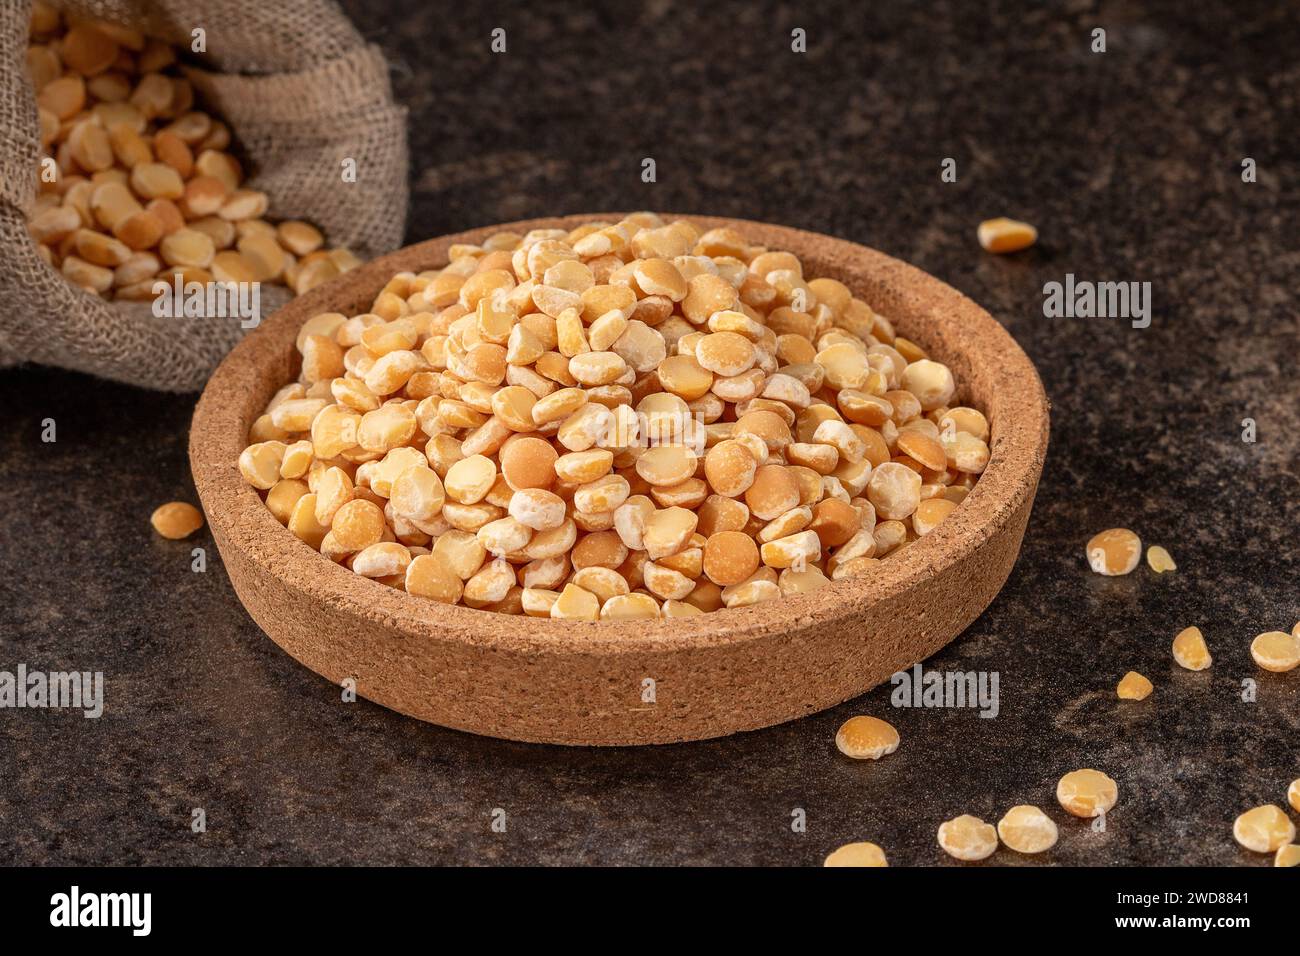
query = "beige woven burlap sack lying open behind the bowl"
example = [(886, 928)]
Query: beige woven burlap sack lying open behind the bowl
[(301, 90)]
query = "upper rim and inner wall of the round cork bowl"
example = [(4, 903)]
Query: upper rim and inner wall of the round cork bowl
[(236, 512)]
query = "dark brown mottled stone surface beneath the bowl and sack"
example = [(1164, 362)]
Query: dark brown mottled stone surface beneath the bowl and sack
[(1129, 163)]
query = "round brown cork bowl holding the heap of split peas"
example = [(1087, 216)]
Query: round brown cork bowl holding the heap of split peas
[(609, 684)]
